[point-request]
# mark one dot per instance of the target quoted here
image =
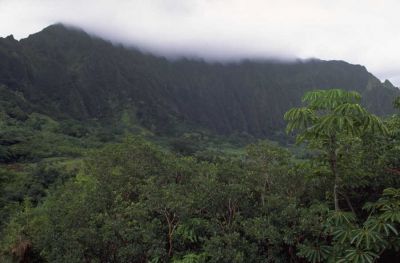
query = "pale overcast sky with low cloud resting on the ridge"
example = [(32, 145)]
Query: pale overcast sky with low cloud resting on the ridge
[(358, 31)]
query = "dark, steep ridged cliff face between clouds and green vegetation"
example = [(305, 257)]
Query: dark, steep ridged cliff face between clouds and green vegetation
[(67, 73)]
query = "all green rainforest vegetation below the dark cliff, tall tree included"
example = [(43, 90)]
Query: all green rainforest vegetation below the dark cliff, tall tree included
[(73, 192)]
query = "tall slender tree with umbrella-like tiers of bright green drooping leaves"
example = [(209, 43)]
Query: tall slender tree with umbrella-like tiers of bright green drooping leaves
[(327, 117)]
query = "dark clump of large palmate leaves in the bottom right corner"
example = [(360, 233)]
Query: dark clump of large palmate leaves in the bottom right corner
[(345, 239)]
